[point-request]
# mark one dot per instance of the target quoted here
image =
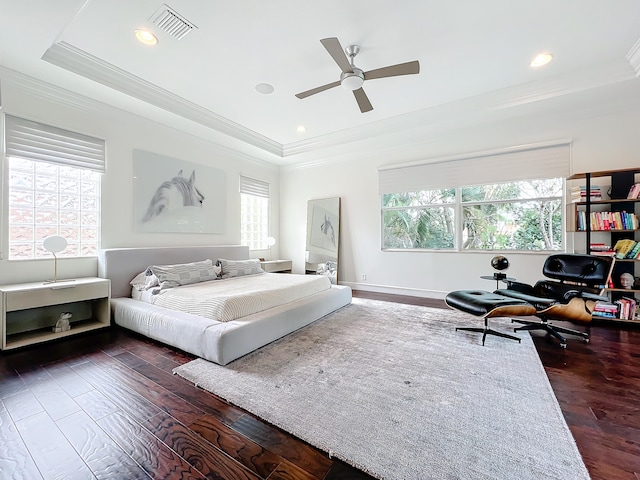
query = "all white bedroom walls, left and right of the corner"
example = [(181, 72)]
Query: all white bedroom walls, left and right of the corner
[(602, 127)]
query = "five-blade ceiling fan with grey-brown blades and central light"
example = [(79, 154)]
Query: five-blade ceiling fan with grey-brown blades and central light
[(353, 77)]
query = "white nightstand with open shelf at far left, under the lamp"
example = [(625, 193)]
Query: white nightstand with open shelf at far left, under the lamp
[(30, 310)]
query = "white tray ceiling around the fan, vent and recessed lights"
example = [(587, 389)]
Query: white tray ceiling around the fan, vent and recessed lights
[(467, 50)]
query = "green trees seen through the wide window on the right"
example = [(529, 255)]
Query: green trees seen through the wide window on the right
[(523, 215)]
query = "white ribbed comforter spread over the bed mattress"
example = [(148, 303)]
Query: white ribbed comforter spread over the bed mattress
[(228, 299)]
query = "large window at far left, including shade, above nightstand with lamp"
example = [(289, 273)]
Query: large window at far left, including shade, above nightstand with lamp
[(54, 189)]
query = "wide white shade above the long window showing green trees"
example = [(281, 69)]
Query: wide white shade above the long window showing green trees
[(481, 168)]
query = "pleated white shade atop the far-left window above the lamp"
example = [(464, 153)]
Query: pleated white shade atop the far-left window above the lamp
[(37, 141)]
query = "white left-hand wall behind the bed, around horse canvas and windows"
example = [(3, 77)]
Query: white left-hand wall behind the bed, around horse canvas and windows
[(124, 132)]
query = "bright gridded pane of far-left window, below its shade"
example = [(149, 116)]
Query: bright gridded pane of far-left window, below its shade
[(47, 199)]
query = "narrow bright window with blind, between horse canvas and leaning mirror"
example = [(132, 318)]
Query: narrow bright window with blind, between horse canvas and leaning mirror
[(254, 213)]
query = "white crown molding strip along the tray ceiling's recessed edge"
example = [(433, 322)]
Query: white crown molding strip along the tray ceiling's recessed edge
[(493, 104)]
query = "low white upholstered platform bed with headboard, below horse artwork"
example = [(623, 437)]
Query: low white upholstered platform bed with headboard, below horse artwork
[(218, 341)]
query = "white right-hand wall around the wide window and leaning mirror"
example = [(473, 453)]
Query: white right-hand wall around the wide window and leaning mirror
[(604, 136)]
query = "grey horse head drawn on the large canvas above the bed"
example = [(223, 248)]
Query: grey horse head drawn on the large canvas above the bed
[(174, 193)]
